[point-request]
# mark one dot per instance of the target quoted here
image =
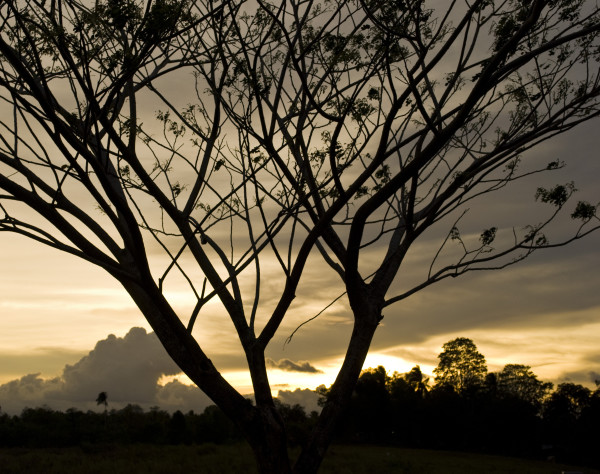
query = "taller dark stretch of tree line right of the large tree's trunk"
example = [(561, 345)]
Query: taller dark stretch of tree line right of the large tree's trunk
[(509, 412)]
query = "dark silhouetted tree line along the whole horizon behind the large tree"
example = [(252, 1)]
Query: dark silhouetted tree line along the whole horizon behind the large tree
[(465, 407)]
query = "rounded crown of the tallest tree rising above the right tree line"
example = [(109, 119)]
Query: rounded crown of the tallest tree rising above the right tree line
[(461, 366)]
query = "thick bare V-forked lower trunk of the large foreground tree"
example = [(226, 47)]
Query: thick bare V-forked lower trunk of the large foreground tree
[(262, 425)]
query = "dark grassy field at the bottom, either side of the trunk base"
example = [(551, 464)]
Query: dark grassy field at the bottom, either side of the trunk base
[(212, 459)]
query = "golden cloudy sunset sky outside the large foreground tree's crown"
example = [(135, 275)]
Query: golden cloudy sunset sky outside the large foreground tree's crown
[(68, 331)]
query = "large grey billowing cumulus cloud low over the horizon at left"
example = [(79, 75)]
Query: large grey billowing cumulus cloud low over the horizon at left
[(127, 368)]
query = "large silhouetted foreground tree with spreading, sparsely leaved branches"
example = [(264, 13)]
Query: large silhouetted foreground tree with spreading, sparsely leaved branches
[(326, 130)]
